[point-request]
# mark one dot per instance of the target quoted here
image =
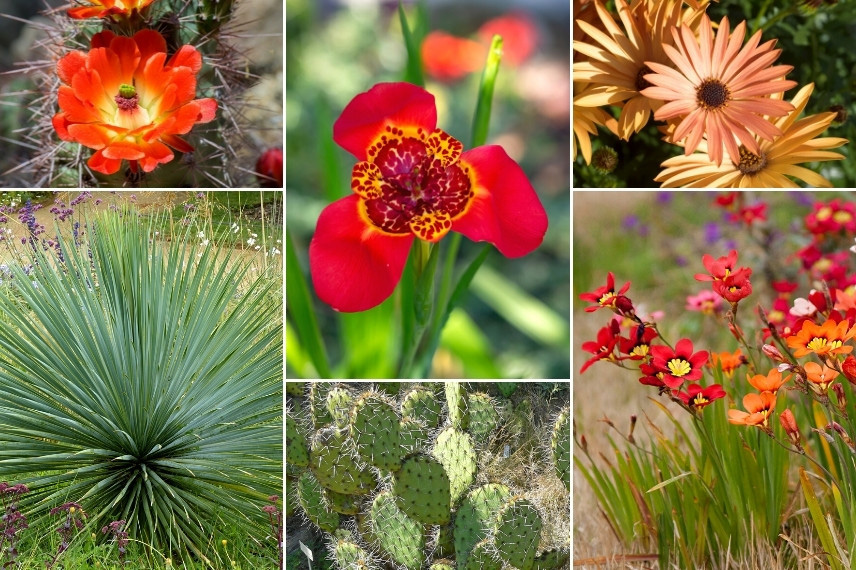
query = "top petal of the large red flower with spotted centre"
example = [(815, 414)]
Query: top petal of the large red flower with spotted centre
[(368, 114)]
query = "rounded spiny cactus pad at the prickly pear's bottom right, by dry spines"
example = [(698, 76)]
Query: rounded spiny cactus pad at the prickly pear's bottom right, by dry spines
[(516, 532)]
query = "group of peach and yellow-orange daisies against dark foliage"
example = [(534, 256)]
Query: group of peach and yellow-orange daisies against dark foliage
[(719, 98)]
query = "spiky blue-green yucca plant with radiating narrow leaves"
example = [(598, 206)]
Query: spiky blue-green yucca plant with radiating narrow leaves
[(143, 380)]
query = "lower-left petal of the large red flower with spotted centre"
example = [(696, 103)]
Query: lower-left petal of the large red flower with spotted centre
[(354, 265)]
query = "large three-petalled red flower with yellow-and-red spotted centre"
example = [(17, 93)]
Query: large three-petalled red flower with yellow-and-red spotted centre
[(412, 180)]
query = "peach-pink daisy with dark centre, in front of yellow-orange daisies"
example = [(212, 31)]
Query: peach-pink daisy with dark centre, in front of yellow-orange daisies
[(720, 89)]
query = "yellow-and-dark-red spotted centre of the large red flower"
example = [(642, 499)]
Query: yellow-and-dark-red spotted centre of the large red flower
[(413, 183)]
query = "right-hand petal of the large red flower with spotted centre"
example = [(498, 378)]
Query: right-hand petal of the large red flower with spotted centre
[(506, 210)]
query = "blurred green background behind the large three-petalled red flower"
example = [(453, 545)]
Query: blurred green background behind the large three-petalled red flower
[(516, 318)]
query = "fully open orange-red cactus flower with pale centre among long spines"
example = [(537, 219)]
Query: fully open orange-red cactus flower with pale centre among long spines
[(125, 100)]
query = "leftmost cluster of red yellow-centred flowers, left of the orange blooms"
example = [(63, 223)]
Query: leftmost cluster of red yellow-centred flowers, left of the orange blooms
[(675, 371)]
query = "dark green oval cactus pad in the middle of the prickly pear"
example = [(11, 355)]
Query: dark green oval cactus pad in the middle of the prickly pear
[(421, 490)]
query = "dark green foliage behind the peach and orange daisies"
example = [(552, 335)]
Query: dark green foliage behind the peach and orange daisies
[(816, 42)]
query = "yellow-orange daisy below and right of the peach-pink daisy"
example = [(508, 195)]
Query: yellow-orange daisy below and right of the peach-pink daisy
[(774, 166)]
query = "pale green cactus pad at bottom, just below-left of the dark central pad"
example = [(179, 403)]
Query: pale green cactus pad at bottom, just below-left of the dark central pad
[(396, 534)]
